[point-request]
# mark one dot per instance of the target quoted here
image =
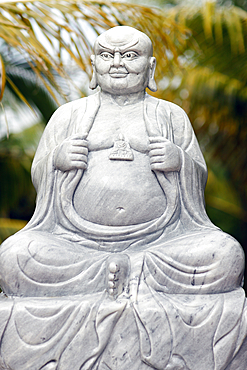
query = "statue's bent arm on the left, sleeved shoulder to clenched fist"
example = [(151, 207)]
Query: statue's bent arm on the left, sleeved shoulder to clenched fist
[(58, 147)]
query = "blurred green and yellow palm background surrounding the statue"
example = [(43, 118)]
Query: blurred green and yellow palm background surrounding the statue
[(201, 66)]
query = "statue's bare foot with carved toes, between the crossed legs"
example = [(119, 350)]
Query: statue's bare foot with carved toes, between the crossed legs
[(117, 278)]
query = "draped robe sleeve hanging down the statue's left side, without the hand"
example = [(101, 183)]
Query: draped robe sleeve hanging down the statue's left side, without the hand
[(62, 124)]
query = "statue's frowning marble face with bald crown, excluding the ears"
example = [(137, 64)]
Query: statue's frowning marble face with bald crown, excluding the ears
[(122, 61)]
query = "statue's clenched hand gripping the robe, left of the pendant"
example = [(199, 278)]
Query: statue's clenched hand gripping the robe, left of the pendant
[(72, 153)]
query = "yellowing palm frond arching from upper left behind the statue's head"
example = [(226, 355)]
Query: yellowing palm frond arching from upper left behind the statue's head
[(51, 34)]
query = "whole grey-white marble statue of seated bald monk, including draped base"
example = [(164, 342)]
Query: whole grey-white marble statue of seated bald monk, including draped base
[(120, 267)]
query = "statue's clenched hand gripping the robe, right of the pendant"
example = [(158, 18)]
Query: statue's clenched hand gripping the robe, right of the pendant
[(164, 155)]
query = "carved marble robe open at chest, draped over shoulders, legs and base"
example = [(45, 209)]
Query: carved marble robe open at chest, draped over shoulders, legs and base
[(183, 272)]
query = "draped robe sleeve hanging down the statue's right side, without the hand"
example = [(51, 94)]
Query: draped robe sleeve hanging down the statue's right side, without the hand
[(192, 177)]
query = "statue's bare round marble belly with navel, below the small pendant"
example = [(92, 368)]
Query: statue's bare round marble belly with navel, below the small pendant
[(118, 193)]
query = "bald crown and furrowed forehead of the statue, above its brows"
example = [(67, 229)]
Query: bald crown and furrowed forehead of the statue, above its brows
[(124, 37)]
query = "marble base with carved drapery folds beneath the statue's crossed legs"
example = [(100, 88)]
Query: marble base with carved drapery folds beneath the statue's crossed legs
[(156, 331)]
